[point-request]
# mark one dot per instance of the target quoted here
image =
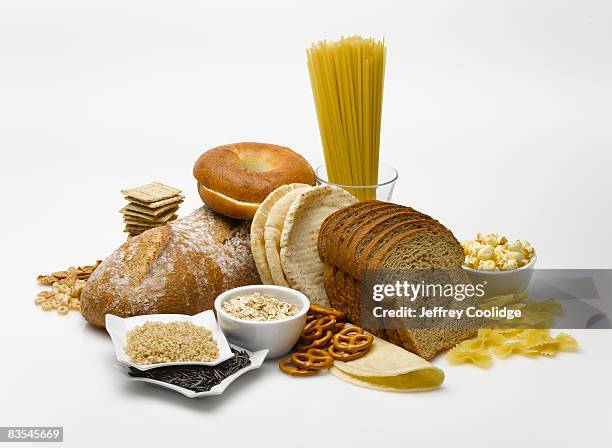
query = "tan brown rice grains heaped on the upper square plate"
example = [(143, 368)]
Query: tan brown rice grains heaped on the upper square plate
[(158, 342)]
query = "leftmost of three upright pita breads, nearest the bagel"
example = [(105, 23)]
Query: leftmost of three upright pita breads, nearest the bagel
[(258, 247)]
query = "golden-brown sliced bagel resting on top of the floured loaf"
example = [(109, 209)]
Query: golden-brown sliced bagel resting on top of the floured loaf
[(234, 179)]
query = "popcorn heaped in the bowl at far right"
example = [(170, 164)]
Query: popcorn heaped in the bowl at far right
[(491, 252)]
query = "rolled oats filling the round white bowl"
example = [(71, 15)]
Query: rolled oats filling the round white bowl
[(260, 307)]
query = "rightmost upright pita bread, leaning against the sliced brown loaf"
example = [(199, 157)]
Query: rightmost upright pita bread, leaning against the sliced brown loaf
[(298, 244)]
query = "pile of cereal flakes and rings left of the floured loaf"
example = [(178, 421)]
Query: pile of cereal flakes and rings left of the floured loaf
[(66, 289)]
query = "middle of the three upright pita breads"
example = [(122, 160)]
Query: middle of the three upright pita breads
[(272, 234)]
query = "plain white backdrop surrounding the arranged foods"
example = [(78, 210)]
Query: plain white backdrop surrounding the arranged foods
[(497, 114)]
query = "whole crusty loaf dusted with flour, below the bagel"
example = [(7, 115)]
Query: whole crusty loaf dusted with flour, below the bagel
[(177, 268)]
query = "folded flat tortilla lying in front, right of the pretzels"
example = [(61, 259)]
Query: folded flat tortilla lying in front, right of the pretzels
[(389, 367)]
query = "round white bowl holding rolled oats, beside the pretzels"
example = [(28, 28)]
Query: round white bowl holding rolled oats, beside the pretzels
[(278, 336)]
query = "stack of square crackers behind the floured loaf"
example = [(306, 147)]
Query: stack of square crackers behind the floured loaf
[(150, 206)]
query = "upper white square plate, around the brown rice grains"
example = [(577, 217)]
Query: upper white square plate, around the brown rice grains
[(118, 327)]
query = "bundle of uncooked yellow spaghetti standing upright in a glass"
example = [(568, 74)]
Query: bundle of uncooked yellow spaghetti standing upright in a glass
[(347, 79)]
